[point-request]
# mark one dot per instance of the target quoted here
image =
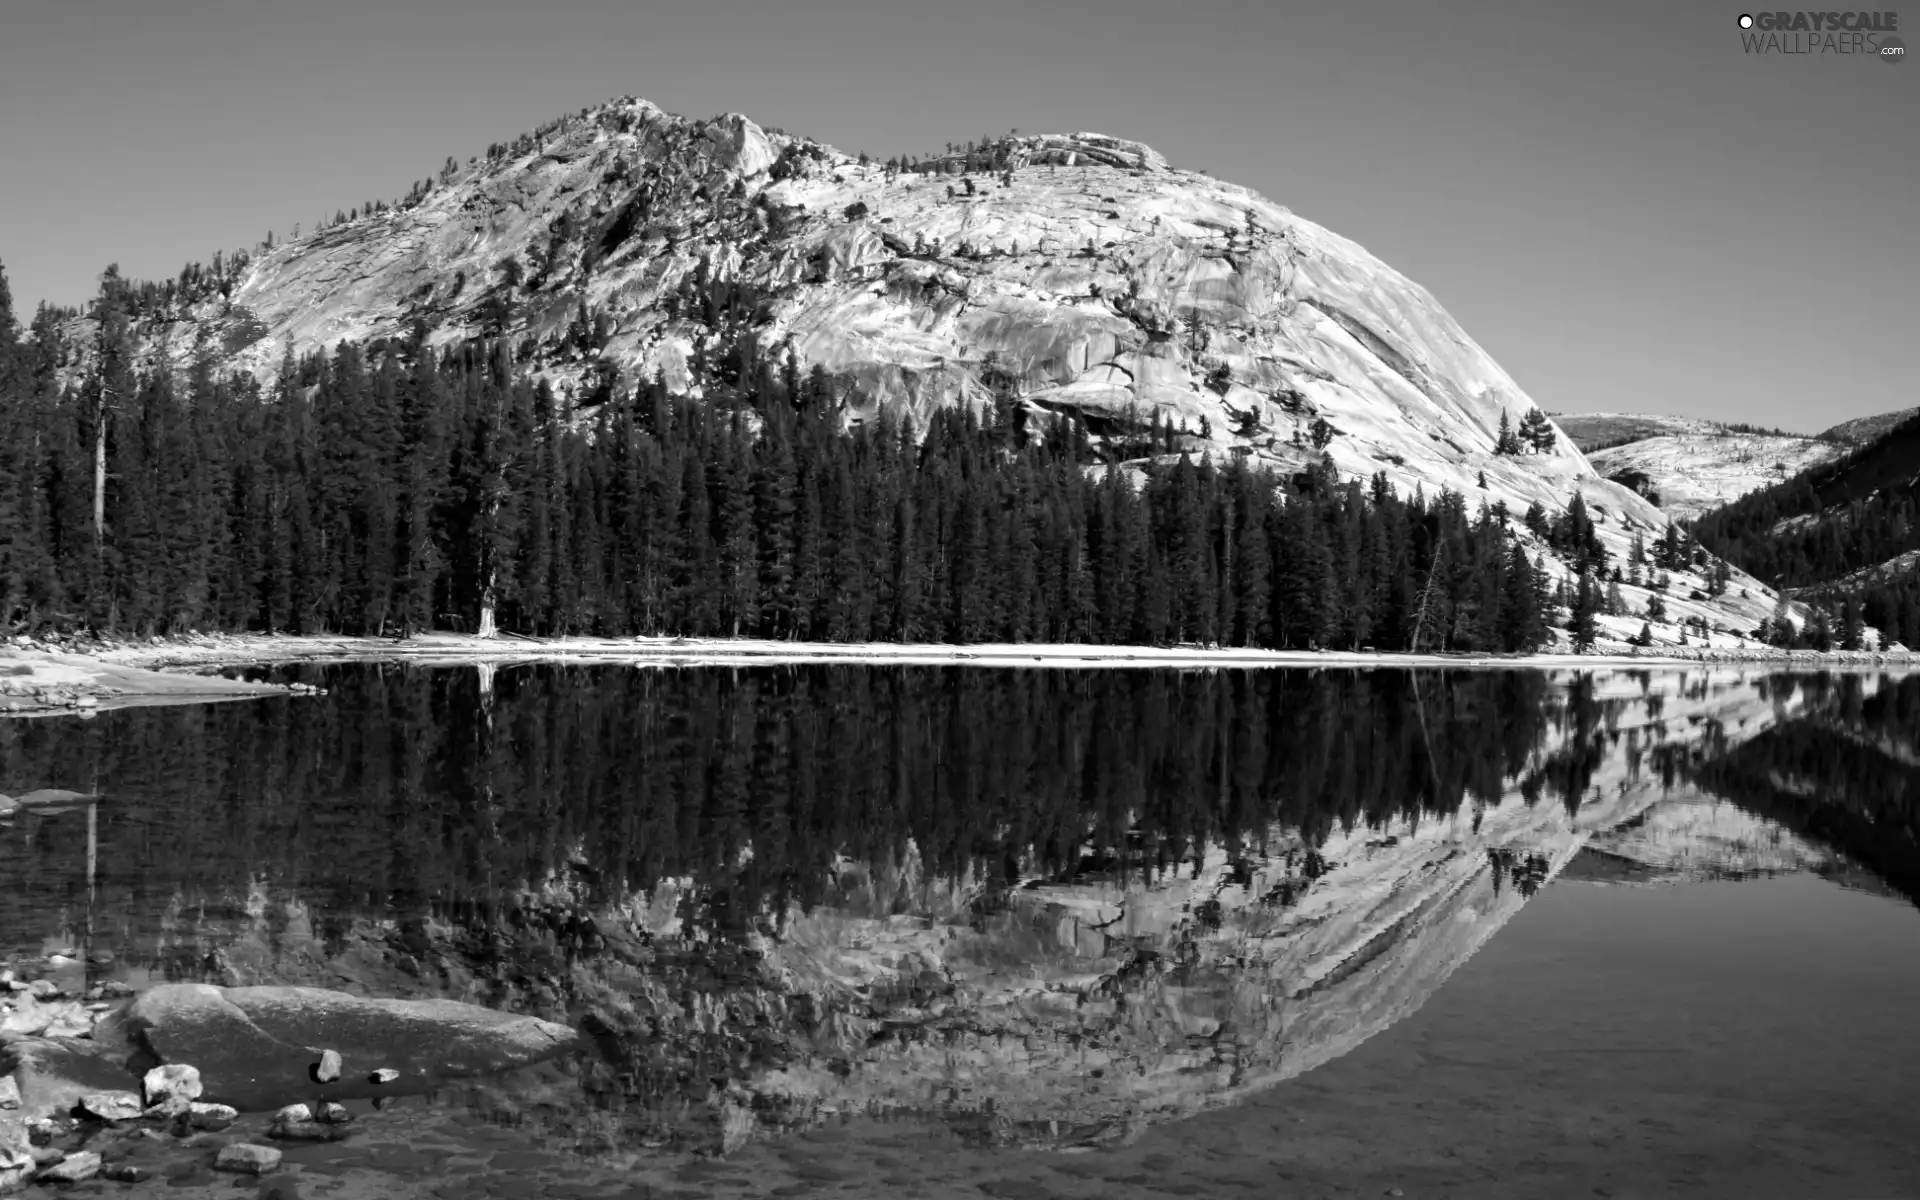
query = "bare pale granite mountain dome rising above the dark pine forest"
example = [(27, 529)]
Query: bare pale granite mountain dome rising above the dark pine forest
[(1076, 274)]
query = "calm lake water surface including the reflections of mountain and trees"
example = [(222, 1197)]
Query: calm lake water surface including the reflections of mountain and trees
[(1049, 932)]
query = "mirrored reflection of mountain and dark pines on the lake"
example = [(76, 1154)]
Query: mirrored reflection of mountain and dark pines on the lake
[(1047, 907)]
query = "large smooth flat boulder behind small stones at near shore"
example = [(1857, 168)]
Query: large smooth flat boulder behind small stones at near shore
[(256, 1045)]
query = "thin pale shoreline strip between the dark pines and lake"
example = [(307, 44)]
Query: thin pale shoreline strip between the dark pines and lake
[(214, 652)]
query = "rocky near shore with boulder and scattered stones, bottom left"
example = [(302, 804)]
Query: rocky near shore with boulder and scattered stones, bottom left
[(183, 1086)]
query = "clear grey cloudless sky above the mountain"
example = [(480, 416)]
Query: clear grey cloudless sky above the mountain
[(1620, 203)]
